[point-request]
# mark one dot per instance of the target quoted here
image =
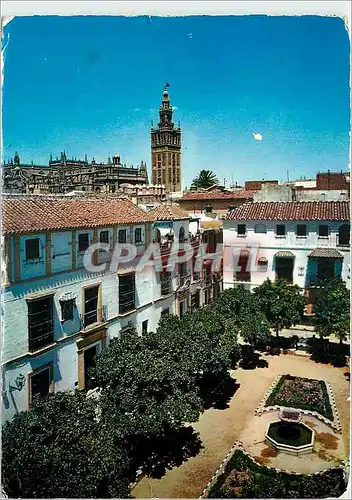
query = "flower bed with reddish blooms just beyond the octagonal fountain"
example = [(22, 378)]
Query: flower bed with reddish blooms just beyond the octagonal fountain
[(302, 393)]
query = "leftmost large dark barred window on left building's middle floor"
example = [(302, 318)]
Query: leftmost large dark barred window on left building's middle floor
[(40, 323)]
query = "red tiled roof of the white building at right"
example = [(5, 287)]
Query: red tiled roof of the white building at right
[(292, 210)]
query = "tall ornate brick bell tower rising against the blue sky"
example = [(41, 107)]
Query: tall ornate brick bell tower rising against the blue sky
[(166, 148)]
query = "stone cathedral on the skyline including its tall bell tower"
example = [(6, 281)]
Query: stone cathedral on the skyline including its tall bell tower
[(64, 175)]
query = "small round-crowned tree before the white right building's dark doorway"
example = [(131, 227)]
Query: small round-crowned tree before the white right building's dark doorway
[(282, 304)]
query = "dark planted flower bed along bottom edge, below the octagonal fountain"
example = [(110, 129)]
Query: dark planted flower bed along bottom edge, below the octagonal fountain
[(243, 478)]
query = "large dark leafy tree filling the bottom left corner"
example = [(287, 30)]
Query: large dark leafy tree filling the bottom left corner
[(59, 449)]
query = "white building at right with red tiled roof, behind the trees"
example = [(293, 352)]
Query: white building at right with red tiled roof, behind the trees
[(299, 241)]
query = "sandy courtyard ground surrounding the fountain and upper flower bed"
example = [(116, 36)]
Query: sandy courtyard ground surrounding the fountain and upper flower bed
[(219, 429)]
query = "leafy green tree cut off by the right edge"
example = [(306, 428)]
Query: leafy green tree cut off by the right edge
[(332, 309)]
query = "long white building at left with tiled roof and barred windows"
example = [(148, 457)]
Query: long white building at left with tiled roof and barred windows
[(57, 315)]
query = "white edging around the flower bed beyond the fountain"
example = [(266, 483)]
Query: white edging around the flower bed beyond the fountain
[(335, 425)]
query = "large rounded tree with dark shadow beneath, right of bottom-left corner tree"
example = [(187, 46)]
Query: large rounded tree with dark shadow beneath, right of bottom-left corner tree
[(148, 396)]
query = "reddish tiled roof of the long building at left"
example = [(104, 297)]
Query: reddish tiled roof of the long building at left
[(33, 214)]
